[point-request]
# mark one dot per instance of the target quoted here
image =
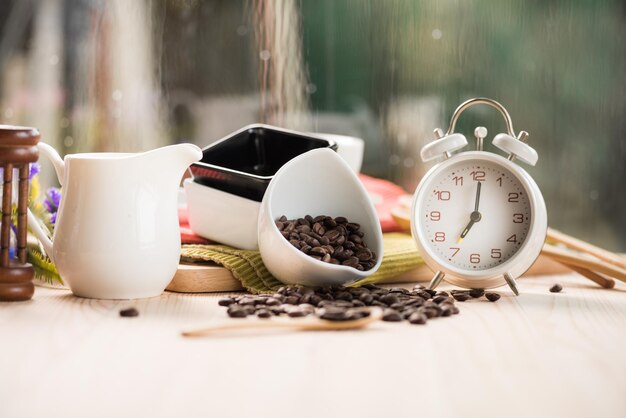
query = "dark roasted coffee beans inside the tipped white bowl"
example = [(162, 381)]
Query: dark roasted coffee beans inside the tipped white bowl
[(328, 239)]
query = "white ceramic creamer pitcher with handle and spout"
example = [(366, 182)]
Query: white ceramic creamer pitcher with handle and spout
[(116, 234)]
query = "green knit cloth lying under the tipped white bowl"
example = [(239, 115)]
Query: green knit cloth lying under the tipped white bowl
[(399, 256)]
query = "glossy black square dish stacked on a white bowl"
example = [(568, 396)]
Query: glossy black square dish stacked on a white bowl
[(244, 162)]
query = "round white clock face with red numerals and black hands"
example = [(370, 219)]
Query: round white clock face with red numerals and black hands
[(473, 215)]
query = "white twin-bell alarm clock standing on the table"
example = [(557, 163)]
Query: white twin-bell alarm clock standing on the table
[(478, 219)]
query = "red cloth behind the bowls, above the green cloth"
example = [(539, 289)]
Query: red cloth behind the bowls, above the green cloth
[(384, 193)]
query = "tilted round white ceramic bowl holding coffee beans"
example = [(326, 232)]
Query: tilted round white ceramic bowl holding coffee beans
[(318, 182)]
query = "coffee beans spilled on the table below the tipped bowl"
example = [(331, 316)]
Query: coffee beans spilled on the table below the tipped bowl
[(338, 303)]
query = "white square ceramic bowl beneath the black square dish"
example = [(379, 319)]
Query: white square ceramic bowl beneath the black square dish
[(222, 217)]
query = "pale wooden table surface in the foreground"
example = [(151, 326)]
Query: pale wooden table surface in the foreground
[(537, 355)]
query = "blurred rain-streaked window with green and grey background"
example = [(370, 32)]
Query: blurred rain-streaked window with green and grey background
[(121, 75)]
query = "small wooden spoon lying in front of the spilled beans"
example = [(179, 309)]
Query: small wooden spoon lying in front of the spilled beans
[(304, 324)]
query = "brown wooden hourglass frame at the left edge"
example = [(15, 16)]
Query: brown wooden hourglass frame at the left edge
[(18, 148)]
